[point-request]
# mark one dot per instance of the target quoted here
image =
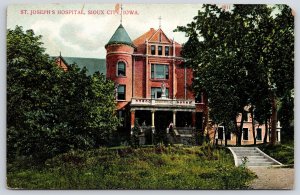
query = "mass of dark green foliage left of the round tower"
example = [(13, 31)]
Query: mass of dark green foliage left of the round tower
[(50, 111)]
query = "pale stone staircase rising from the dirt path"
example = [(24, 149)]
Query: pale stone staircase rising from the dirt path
[(255, 157)]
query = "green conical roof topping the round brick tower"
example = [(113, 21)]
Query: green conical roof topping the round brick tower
[(120, 37)]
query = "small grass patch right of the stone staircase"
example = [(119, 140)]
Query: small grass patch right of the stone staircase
[(284, 153)]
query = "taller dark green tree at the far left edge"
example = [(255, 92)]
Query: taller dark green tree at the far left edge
[(30, 93)]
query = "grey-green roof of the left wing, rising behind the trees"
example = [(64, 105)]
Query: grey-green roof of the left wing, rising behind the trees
[(92, 64)]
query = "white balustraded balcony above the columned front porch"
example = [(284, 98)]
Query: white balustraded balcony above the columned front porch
[(162, 102)]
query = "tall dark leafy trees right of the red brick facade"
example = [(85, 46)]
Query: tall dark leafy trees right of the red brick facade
[(236, 58)]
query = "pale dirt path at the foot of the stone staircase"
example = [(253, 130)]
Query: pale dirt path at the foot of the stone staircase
[(273, 178)]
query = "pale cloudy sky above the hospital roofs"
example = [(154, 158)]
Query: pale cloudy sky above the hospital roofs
[(84, 35)]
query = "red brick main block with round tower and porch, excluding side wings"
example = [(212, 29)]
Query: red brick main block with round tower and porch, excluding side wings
[(152, 84)]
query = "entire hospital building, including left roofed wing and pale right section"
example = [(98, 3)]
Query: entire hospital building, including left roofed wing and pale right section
[(154, 87)]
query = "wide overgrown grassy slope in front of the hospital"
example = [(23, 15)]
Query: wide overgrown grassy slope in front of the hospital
[(127, 168)]
